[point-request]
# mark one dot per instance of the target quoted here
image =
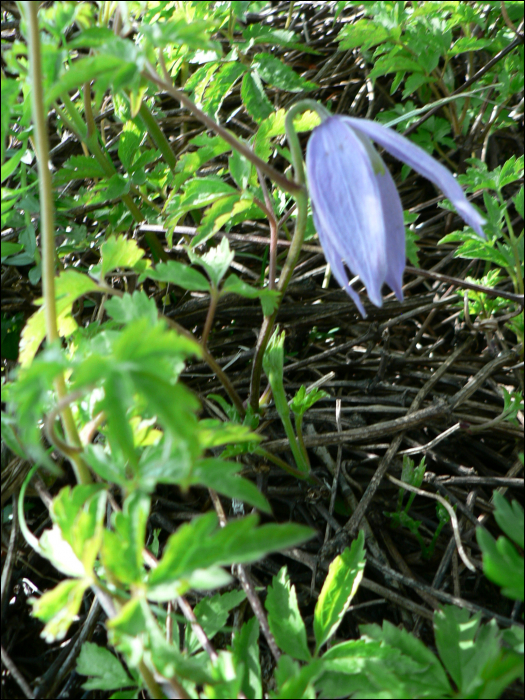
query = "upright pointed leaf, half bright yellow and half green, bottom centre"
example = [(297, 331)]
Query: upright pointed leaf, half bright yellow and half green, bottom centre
[(344, 576)]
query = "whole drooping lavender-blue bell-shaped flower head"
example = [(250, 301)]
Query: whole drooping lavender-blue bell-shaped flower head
[(356, 207)]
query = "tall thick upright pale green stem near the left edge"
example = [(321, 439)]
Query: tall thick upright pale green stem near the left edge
[(47, 227)]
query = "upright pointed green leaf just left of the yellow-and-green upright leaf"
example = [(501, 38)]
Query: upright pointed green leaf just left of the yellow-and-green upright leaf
[(284, 618)]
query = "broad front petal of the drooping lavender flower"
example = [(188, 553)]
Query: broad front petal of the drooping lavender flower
[(347, 201)]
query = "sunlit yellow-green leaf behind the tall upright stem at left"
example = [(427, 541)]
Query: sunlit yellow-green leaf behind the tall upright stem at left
[(69, 286)]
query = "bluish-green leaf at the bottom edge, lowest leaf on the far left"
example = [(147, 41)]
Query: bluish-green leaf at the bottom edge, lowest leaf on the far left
[(103, 668)]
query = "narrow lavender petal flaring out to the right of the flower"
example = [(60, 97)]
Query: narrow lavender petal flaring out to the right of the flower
[(418, 159)]
